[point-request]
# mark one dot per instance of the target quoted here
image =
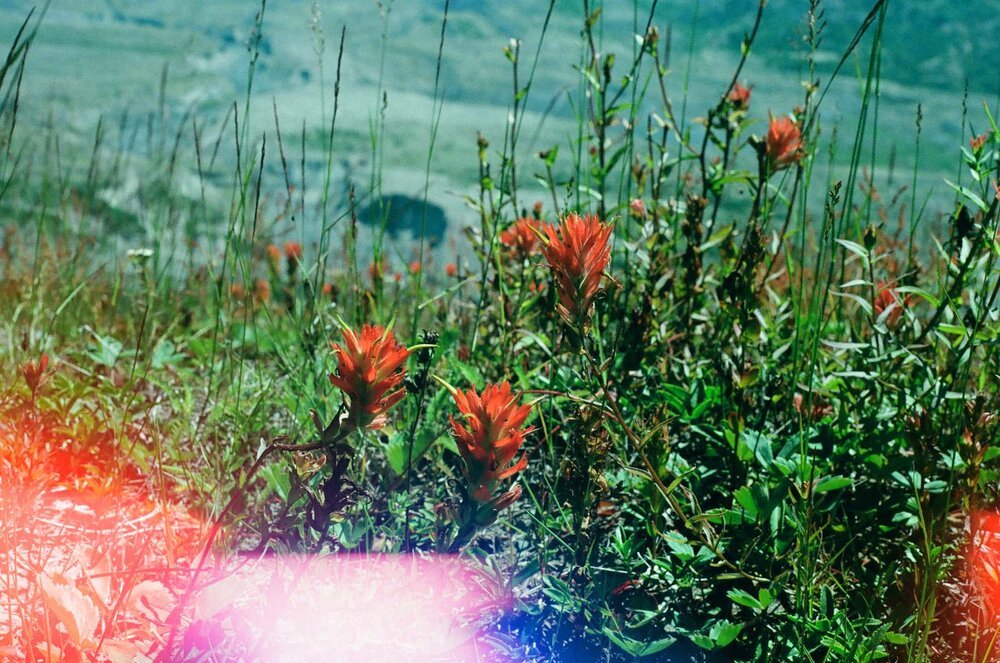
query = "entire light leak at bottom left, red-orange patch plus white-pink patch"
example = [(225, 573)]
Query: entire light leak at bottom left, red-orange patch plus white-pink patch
[(96, 567)]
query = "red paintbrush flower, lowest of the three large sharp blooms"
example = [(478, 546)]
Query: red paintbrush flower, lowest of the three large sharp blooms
[(488, 436)]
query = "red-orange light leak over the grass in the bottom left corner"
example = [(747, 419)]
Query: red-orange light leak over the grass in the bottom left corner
[(90, 560)]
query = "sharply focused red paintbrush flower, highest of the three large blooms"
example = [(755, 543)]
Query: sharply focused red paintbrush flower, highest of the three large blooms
[(578, 253)]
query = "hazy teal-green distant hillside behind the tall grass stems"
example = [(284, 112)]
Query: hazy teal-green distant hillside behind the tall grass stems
[(145, 68)]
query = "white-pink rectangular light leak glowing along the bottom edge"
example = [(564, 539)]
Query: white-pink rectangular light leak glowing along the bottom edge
[(356, 608)]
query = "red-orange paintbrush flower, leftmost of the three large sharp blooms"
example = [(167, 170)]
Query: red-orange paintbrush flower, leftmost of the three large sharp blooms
[(369, 371)]
